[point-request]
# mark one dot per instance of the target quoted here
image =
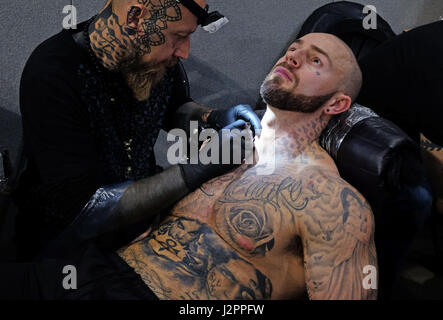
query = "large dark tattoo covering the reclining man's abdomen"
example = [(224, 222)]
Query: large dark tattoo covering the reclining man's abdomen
[(198, 261)]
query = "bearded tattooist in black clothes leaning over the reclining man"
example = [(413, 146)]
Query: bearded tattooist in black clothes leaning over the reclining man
[(93, 101)]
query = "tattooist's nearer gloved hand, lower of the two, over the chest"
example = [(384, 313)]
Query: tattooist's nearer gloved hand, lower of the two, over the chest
[(228, 143)]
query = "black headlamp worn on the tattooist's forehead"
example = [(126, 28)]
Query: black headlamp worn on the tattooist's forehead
[(210, 21)]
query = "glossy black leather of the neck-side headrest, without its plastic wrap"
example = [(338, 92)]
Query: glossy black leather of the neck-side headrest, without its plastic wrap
[(373, 156)]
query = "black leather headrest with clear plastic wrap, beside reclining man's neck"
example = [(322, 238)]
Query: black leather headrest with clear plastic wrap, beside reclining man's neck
[(372, 153)]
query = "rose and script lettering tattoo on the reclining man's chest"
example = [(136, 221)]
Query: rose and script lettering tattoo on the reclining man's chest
[(252, 207)]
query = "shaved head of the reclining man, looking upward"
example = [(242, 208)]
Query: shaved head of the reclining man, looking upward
[(318, 70)]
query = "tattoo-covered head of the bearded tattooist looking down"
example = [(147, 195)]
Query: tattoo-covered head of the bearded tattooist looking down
[(142, 39)]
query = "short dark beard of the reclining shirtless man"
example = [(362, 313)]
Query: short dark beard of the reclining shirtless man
[(274, 95)]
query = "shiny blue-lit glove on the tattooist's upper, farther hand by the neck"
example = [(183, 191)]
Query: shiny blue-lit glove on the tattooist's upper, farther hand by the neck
[(221, 118)]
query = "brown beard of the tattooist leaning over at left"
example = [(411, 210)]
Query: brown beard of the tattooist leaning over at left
[(141, 77)]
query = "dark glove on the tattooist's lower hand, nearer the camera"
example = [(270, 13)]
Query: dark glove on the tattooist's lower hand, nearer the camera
[(197, 174)]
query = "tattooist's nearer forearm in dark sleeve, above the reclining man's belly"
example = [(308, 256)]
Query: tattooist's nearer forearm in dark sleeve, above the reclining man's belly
[(112, 210)]
